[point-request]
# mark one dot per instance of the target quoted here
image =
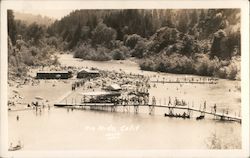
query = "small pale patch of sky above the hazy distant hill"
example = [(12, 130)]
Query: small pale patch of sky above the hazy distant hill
[(55, 14)]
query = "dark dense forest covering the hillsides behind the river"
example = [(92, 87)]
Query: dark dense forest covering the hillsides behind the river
[(203, 42)]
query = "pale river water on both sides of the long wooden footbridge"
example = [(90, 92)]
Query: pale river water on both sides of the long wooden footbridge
[(66, 129)]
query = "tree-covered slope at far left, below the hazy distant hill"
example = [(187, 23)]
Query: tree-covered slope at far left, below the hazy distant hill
[(28, 45)]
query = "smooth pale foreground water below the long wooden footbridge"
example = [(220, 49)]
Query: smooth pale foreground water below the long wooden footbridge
[(83, 129)]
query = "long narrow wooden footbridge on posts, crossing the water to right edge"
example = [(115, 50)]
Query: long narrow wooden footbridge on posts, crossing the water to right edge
[(112, 107)]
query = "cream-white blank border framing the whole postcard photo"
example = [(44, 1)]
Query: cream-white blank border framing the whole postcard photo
[(57, 4)]
